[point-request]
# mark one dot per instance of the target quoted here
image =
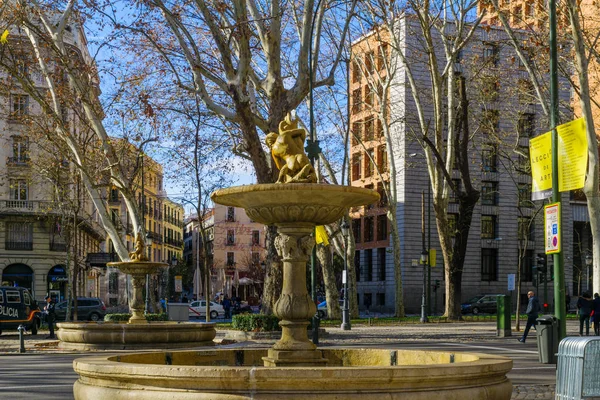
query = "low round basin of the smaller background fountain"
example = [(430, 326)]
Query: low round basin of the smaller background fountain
[(123, 336)]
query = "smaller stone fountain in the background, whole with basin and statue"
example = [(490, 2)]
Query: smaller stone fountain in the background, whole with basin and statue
[(137, 333)]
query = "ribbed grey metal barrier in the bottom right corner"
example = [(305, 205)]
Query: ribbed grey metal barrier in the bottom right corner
[(578, 368)]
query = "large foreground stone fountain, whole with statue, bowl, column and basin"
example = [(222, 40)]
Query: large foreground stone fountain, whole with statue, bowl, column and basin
[(294, 368)]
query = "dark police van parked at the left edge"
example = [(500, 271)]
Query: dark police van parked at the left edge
[(17, 307)]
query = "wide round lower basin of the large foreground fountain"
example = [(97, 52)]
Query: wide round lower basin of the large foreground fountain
[(349, 374)]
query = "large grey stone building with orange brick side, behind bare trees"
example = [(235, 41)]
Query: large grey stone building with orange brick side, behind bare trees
[(503, 117)]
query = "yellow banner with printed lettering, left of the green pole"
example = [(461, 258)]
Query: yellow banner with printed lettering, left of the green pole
[(540, 156)]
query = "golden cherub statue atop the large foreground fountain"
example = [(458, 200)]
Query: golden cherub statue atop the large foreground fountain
[(287, 149)]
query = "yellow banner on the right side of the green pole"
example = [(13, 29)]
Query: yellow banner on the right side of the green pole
[(572, 155)]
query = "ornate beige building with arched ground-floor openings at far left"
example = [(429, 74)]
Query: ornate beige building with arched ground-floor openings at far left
[(47, 223)]
